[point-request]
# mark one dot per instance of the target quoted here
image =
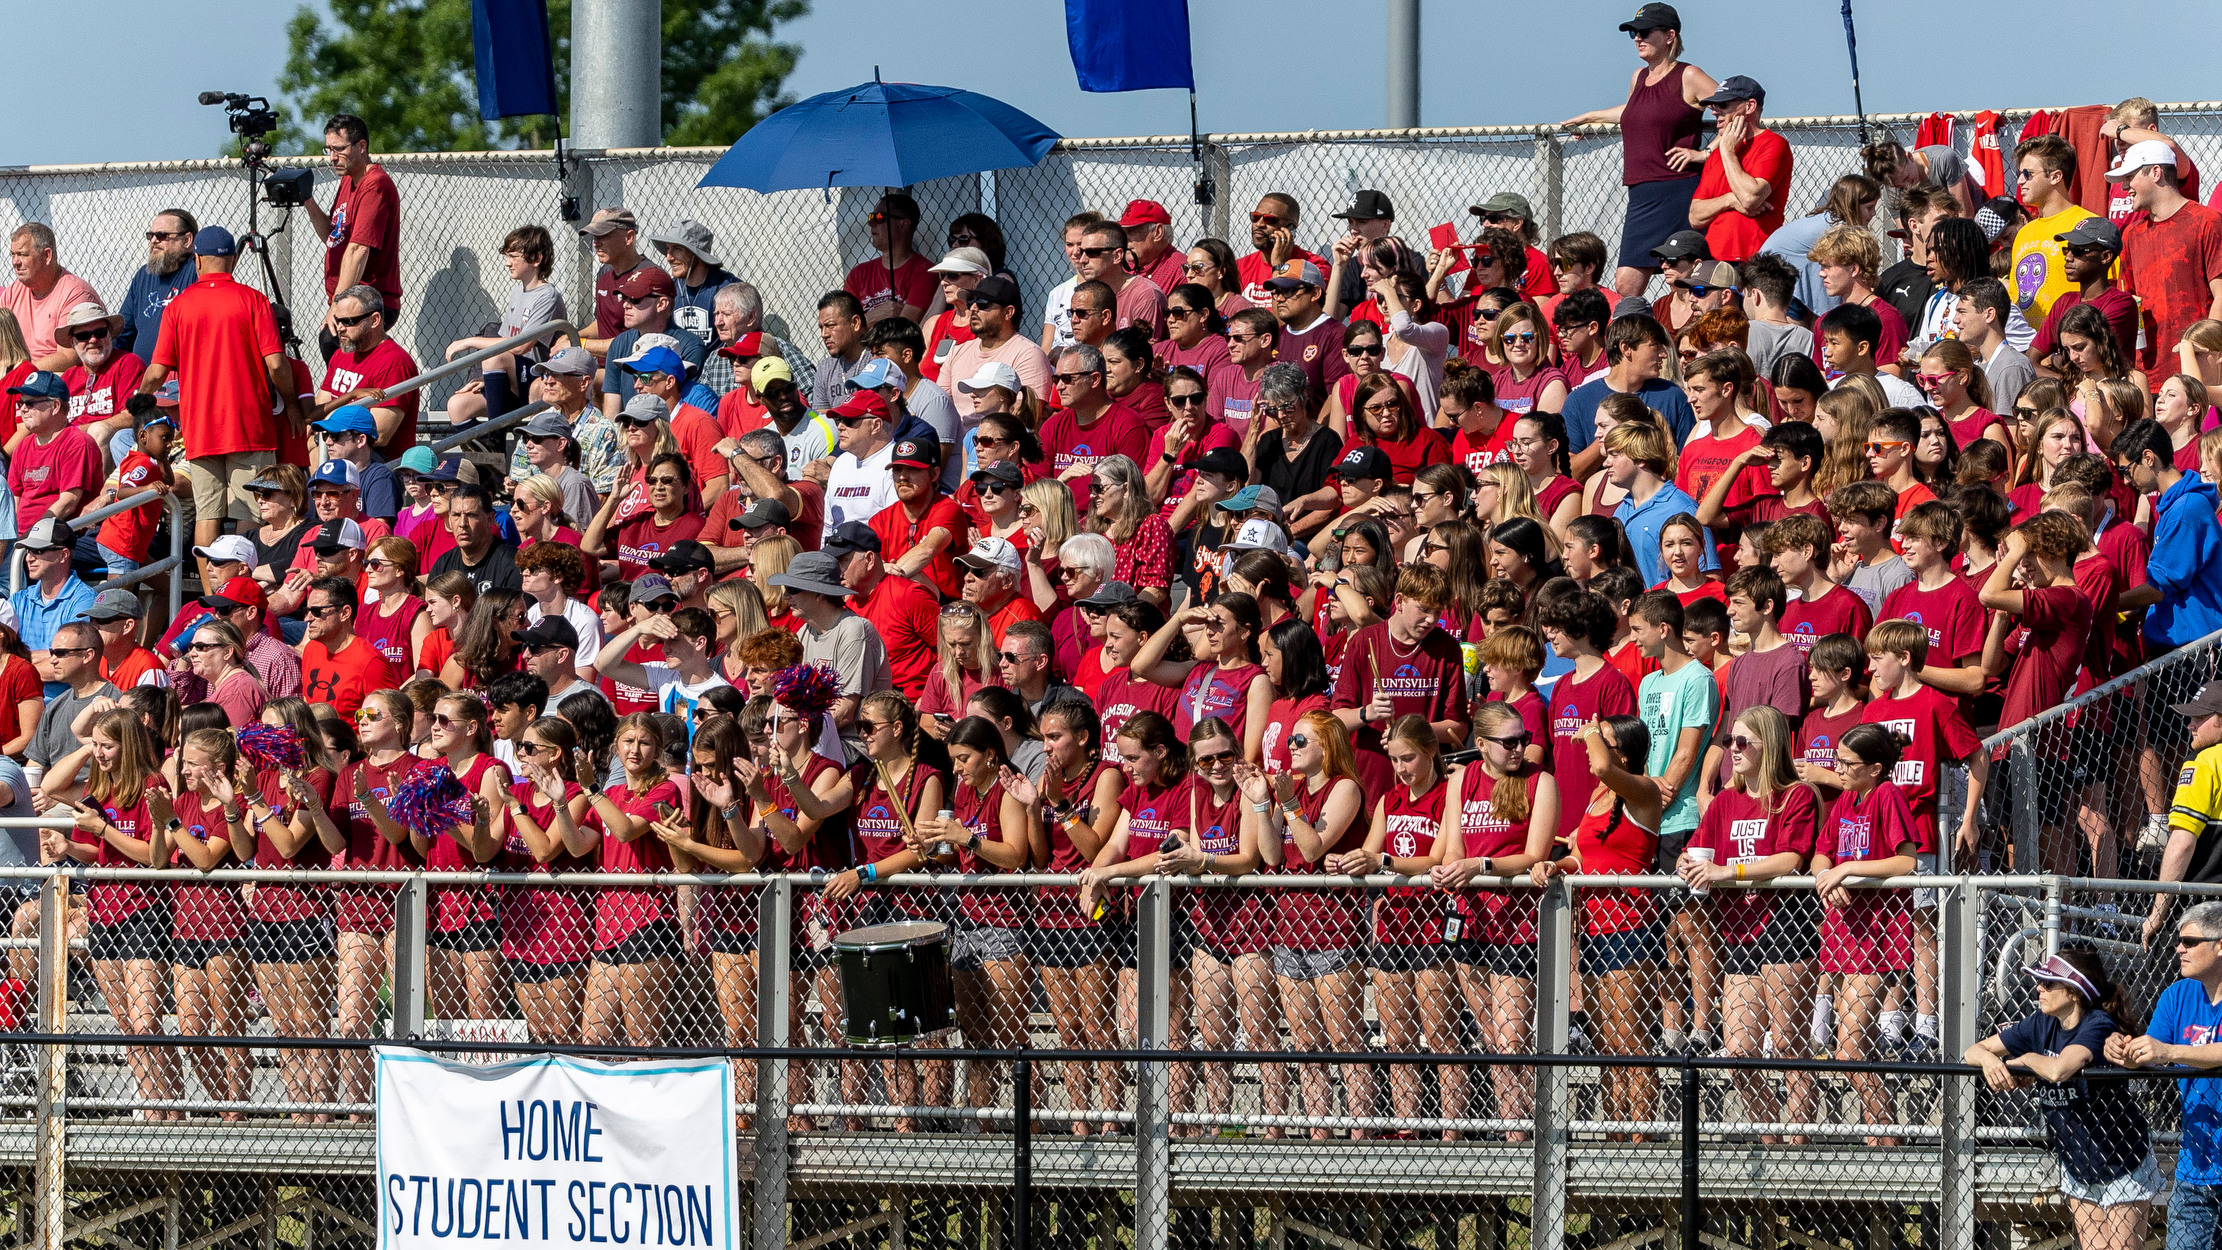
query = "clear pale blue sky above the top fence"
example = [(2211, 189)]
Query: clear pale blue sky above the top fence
[(1265, 65)]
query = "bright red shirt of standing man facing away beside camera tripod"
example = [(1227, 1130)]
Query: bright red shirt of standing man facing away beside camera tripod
[(217, 334)]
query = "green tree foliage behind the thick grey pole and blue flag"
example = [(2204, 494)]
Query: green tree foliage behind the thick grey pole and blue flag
[(406, 68)]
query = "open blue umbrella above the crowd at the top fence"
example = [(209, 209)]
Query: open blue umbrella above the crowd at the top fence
[(881, 134)]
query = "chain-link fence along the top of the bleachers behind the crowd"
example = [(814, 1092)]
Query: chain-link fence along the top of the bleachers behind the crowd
[(797, 245)]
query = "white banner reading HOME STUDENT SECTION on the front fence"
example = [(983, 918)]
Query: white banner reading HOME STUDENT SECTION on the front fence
[(554, 1151)]
